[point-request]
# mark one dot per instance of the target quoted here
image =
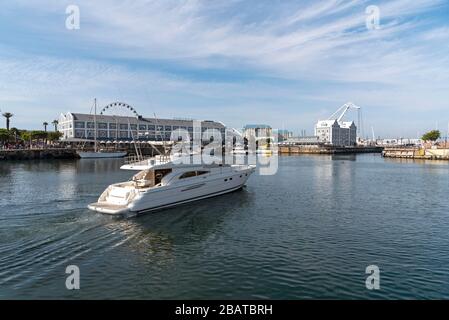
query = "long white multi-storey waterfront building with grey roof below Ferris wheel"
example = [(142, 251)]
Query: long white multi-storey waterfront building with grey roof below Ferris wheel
[(79, 126)]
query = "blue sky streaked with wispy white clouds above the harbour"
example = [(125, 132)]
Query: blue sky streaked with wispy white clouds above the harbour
[(284, 63)]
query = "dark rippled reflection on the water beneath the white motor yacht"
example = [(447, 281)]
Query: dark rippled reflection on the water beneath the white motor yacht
[(158, 233)]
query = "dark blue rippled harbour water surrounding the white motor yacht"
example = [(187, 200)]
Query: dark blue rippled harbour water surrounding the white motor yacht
[(307, 232)]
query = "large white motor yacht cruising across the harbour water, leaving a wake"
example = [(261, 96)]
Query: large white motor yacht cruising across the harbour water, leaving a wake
[(166, 185)]
